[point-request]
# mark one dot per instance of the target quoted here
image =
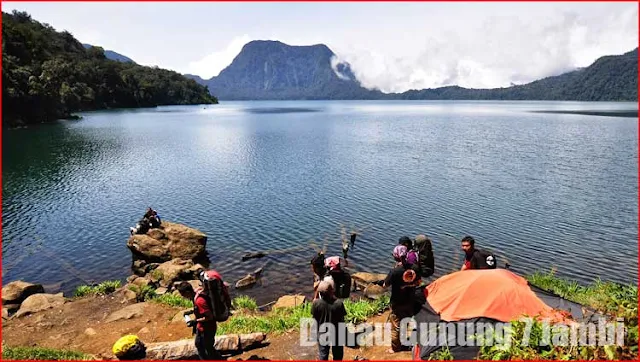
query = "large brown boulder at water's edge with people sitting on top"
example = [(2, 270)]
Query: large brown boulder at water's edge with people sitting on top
[(169, 241)]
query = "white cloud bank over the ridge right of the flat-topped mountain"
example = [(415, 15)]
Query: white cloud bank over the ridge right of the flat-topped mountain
[(496, 52)]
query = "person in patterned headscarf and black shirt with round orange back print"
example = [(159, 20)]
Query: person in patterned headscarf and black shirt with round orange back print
[(402, 279)]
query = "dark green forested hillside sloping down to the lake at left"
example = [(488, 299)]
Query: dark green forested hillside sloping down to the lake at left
[(48, 75)]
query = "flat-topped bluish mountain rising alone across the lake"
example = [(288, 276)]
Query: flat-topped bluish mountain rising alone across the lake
[(274, 70)]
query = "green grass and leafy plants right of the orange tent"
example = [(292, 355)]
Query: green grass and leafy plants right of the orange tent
[(610, 299)]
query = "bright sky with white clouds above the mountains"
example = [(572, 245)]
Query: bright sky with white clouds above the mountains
[(393, 47)]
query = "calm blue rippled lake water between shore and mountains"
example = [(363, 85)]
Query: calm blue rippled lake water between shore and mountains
[(541, 190)]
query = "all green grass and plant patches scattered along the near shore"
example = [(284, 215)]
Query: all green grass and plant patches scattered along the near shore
[(610, 299)]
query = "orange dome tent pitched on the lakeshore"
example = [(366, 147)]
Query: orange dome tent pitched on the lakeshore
[(492, 293)]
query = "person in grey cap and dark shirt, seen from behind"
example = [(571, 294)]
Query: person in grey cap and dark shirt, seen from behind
[(329, 314)]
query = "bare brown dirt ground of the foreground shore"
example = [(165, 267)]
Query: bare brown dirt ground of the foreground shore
[(80, 325)]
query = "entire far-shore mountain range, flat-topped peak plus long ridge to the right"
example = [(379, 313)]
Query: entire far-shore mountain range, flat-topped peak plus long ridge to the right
[(274, 70)]
